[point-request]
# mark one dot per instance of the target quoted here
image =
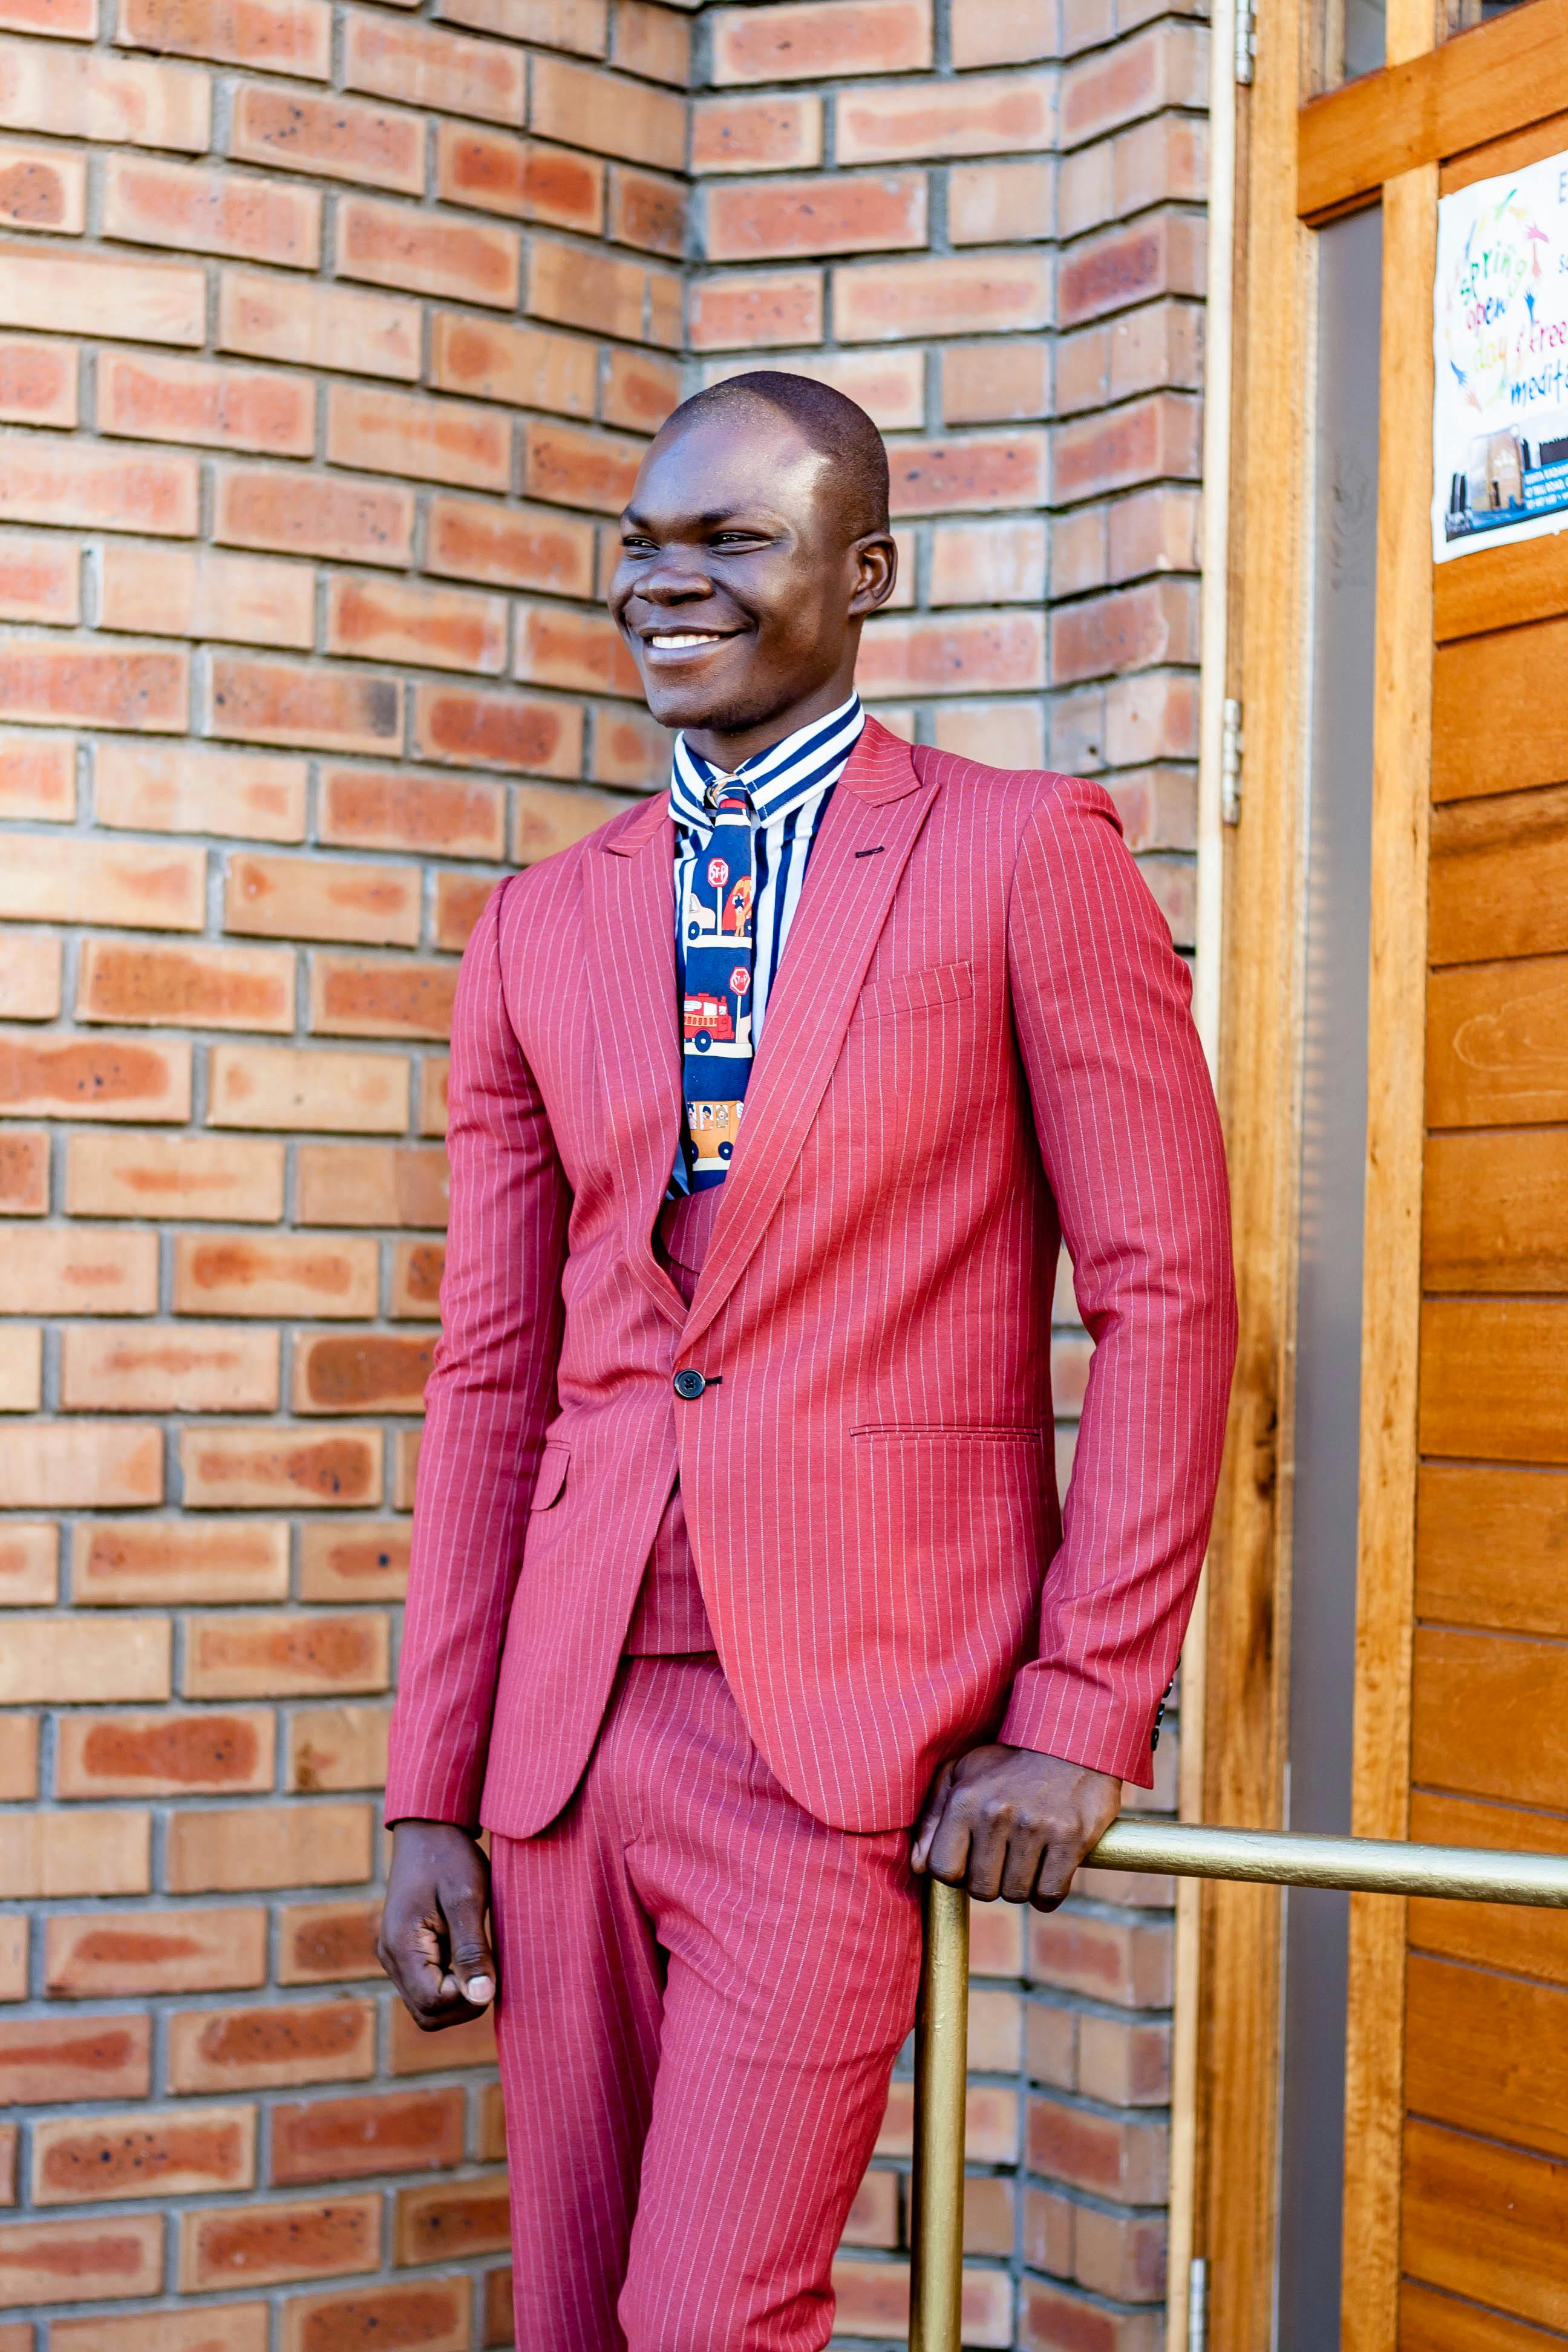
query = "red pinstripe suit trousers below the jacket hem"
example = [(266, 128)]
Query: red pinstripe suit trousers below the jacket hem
[(702, 1993)]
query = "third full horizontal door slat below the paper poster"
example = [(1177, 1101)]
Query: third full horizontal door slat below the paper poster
[(1499, 1043)]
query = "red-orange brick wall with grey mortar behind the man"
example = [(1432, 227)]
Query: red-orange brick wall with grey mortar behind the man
[(328, 345)]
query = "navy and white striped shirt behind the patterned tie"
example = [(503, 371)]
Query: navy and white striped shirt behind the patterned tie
[(789, 791)]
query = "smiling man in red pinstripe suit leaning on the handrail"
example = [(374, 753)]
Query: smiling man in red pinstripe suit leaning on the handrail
[(742, 1591)]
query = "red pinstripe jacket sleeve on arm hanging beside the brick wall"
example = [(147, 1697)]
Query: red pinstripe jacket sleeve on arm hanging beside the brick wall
[(488, 1405)]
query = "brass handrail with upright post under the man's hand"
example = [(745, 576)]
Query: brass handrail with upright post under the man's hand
[(1165, 1847)]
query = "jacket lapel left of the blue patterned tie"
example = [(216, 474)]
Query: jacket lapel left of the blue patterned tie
[(631, 965)]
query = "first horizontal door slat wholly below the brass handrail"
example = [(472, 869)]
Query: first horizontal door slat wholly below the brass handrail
[(1487, 2054)]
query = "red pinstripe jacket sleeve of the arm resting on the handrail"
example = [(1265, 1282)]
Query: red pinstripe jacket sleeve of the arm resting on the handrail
[(1132, 1149)]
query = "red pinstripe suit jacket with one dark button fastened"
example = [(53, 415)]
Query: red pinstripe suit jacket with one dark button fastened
[(979, 1045)]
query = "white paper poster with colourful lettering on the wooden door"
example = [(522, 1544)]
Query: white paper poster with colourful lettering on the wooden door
[(1501, 342)]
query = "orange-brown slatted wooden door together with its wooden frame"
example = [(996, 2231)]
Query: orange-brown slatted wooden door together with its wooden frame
[(1456, 2099)]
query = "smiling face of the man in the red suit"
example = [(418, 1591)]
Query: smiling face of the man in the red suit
[(739, 592)]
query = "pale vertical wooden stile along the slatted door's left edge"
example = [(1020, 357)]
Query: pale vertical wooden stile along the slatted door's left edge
[(1391, 1283)]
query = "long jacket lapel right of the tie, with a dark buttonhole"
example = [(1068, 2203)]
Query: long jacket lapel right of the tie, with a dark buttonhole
[(878, 806)]
